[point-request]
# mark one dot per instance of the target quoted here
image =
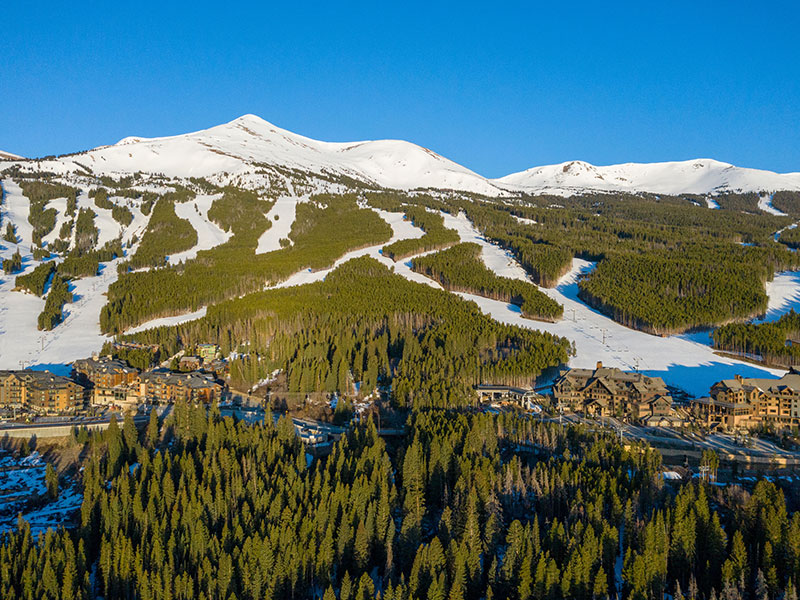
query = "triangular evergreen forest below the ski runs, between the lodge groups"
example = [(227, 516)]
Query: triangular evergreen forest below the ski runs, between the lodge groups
[(365, 324)]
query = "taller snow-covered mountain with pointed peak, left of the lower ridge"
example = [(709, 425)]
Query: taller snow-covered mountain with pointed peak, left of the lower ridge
[(242, 145)]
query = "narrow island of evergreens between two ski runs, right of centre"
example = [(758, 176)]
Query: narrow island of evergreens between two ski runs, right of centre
[(461, 269)]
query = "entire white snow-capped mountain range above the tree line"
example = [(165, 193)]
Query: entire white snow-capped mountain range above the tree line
[(235, 151)]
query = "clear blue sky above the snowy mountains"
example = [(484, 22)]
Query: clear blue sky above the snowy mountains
[(498, 87)]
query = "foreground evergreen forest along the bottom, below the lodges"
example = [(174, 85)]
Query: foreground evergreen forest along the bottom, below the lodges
[(466, 506)]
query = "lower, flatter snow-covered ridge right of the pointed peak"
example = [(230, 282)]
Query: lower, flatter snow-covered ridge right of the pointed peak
[(701, 176)]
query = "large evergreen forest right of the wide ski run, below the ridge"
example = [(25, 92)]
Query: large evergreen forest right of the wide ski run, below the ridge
[(661, 259)]
